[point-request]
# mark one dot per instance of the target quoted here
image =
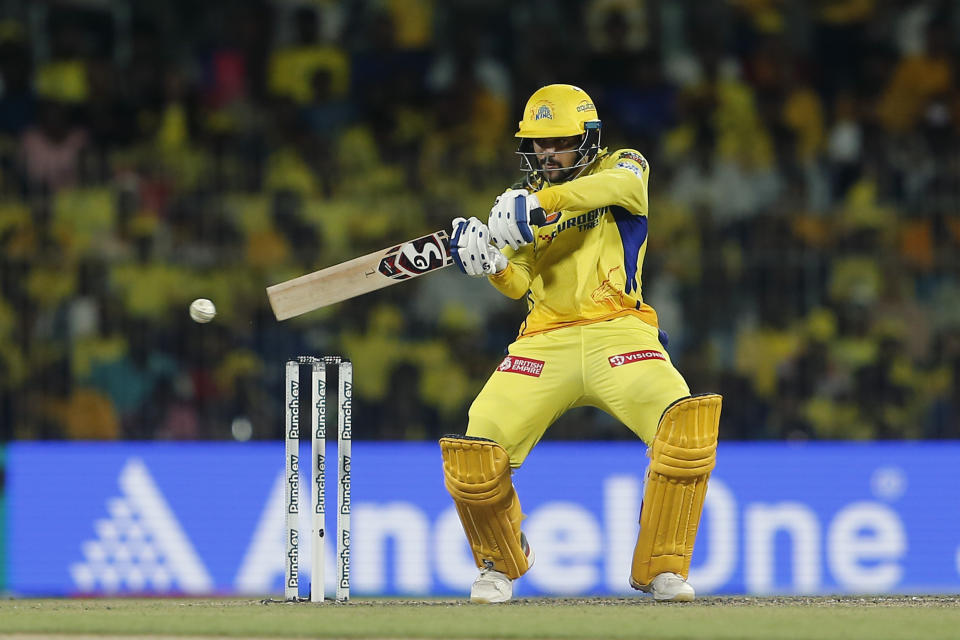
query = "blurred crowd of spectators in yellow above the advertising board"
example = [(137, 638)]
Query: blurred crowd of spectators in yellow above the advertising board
[(804, 224)]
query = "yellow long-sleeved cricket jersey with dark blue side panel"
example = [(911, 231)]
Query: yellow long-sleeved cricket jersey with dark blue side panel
[(584, 266)]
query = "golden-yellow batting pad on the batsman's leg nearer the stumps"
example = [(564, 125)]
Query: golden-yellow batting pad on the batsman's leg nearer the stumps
[(476, 472)]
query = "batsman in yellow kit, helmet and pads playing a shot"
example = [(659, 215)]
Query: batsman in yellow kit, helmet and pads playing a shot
[(588, 339)]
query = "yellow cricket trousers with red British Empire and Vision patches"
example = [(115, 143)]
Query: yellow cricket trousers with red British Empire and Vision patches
[(618, 366)]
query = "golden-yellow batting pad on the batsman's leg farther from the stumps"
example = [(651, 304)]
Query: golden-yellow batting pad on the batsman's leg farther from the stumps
[(682, 455)]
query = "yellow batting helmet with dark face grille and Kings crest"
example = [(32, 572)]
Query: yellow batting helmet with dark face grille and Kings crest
[(559, 111)]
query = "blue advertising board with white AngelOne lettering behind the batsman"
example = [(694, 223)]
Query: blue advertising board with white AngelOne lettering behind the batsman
[(207, 518)]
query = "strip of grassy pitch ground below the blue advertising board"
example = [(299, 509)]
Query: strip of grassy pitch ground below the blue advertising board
[(769, 618)]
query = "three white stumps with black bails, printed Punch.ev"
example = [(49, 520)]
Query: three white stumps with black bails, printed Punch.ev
[(318, 386)]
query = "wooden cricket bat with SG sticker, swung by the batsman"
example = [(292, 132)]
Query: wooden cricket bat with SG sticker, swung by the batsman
[(367, 273)]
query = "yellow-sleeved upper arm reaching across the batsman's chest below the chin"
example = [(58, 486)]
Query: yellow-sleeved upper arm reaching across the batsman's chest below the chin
[(610, 187)]
